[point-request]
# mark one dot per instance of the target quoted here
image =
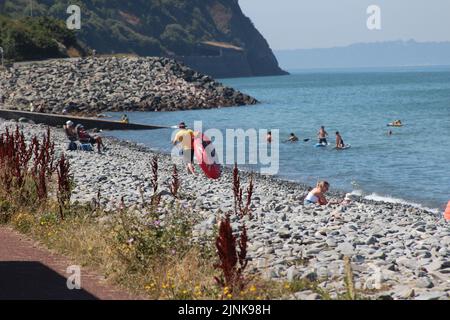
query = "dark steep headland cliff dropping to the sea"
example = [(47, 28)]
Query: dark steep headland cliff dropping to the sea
[(176, 28)]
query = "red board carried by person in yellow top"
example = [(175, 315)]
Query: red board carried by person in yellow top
[(205, 153)]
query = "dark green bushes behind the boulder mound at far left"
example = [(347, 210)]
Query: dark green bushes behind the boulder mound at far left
[(37, 38)]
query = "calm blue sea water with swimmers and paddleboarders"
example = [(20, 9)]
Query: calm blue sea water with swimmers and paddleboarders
[(412, 165)]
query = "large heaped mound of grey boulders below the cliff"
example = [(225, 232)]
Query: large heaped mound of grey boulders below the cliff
[(95, 85)]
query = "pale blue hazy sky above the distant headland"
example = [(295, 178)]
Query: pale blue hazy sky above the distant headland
[(302, 24)]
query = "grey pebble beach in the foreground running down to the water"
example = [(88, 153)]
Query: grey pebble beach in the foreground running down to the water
[(396, 251)]
